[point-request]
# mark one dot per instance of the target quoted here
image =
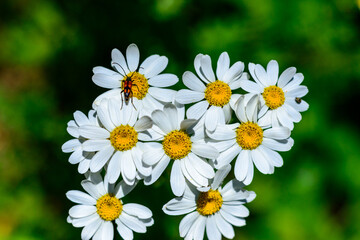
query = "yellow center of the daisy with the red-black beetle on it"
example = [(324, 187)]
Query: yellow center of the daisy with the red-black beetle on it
[(139, 86)]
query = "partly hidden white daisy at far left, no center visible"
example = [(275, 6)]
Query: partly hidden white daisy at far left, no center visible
[(79, 156)]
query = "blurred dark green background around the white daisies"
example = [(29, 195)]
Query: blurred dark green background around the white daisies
[(48, 50)]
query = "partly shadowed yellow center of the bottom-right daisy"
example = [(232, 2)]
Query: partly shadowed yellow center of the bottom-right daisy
[(209, 202)]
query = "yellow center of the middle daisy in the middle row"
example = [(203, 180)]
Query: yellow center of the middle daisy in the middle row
[(177, 144)]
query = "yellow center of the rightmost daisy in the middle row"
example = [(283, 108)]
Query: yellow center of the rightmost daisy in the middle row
[(249, 135)]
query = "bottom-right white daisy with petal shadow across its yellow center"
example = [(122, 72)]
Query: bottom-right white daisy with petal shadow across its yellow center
[(214, 211)]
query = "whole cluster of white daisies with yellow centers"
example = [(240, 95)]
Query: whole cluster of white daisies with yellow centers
[(139, 126)]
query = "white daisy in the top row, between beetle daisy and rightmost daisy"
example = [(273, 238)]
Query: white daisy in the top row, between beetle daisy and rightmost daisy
[(211, 94)]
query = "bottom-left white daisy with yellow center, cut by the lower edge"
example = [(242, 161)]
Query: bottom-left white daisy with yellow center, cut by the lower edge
[(102, 205)]
